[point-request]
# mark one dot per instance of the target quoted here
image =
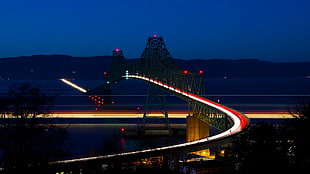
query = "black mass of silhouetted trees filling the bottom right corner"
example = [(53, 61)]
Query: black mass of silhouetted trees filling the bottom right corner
[(271, 148)]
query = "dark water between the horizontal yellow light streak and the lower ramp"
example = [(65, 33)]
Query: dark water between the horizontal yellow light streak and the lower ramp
[(98, 139)]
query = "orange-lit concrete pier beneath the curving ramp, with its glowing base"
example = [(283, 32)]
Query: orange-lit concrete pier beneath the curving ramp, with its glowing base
[(195, 130)]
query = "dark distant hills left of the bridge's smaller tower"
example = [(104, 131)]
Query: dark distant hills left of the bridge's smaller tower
[(41, 67)]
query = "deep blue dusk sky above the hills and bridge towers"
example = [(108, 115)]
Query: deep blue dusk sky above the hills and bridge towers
[(274, 30)]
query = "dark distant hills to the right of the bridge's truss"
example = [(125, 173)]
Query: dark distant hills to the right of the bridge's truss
[(251, 68)]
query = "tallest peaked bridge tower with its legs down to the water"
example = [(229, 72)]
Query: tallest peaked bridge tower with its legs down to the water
[(155, 109)]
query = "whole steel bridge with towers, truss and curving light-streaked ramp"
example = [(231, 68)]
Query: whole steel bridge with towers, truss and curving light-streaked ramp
[(156, 67)]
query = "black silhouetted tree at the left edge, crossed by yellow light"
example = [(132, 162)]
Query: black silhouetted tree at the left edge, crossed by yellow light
[(26, 136)]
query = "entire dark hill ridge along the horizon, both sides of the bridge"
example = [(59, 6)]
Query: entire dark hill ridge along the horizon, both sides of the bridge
[(46, 67)]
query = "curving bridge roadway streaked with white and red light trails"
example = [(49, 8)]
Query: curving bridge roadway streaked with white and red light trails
[(239, 123)]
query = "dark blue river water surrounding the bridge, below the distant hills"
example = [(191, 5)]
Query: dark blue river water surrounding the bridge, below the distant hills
[(88, 137)]
